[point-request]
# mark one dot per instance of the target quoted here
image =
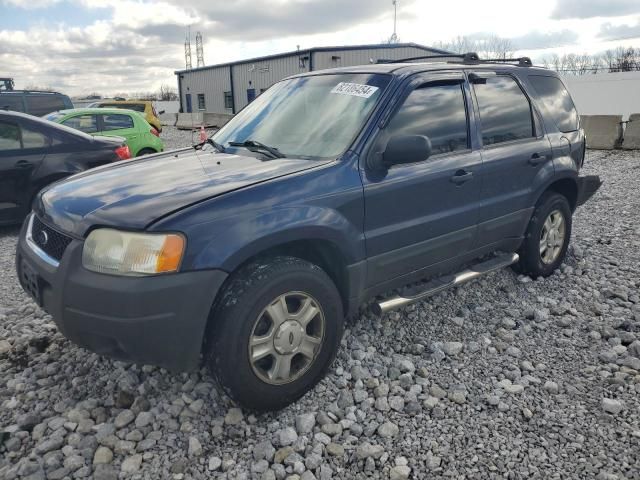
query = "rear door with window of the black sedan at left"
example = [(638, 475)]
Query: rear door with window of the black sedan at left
[(22, 150)]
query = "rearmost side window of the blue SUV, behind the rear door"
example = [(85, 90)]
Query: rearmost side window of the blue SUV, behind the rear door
[(556, 98)]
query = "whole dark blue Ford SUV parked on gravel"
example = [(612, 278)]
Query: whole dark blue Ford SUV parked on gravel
[(388, 182)]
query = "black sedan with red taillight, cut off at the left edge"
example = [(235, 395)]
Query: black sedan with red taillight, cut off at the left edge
[(35, 153)]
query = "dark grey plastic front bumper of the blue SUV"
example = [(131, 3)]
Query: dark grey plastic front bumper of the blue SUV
[(158, 320)]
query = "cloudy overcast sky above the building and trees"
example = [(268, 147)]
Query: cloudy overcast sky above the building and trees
[(109, 46)]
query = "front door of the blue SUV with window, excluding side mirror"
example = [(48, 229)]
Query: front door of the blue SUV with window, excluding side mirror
[(420, 214)]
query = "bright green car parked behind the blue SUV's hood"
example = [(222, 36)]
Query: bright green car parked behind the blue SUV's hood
[(141, 138)]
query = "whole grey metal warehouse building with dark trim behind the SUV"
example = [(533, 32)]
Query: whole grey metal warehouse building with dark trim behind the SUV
[(228, 87)]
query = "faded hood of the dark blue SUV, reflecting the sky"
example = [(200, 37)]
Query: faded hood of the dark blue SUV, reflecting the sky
[(134, 193)]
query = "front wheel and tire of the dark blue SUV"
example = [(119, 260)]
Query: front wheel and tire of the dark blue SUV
[(246, 311)]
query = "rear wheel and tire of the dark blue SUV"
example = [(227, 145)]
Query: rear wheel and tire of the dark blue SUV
[(541, 261)]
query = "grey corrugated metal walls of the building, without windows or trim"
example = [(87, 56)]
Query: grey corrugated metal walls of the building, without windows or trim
[(261, 74)]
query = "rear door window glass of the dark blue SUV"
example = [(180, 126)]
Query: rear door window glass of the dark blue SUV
[(505, 111)]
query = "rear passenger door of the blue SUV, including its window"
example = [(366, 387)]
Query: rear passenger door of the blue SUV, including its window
[(516, 155)]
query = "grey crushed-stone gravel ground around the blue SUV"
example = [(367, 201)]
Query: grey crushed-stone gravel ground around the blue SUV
[(502, 378)]
